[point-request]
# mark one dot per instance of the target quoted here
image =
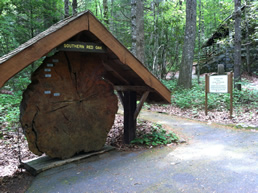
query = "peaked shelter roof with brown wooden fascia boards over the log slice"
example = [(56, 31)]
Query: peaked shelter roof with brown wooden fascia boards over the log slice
[(124, 70)]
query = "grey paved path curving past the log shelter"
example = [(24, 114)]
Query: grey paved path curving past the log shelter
[(216, 159)]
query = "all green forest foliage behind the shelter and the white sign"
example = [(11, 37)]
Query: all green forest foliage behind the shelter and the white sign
[(164, 23)]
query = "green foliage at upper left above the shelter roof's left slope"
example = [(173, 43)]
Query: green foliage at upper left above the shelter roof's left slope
[(21, 20)]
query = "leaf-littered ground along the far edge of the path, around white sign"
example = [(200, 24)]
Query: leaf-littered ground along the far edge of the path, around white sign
[(243, 116)]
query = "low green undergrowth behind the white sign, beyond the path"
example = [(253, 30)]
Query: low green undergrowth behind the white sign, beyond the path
[(195, 97)]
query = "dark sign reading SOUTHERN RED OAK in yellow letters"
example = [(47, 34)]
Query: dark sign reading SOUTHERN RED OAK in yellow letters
[(82, 47)]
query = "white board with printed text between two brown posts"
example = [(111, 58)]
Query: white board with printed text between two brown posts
[(218, 84)]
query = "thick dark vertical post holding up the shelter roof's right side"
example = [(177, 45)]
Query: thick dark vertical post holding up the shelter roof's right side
[(129, 120)]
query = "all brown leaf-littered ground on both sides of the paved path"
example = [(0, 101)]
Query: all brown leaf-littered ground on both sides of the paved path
[(13, 144)]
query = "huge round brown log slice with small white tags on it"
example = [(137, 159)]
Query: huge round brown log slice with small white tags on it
[(68, 107)]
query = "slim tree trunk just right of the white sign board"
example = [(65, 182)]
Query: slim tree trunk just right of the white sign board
[(237, 41)]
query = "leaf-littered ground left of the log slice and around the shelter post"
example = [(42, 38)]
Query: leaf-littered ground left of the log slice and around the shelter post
[(14, 146)]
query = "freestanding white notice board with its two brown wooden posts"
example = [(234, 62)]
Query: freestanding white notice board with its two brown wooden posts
[(219, 84)]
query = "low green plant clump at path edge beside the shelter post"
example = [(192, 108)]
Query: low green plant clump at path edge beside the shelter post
[(157, 136)]
